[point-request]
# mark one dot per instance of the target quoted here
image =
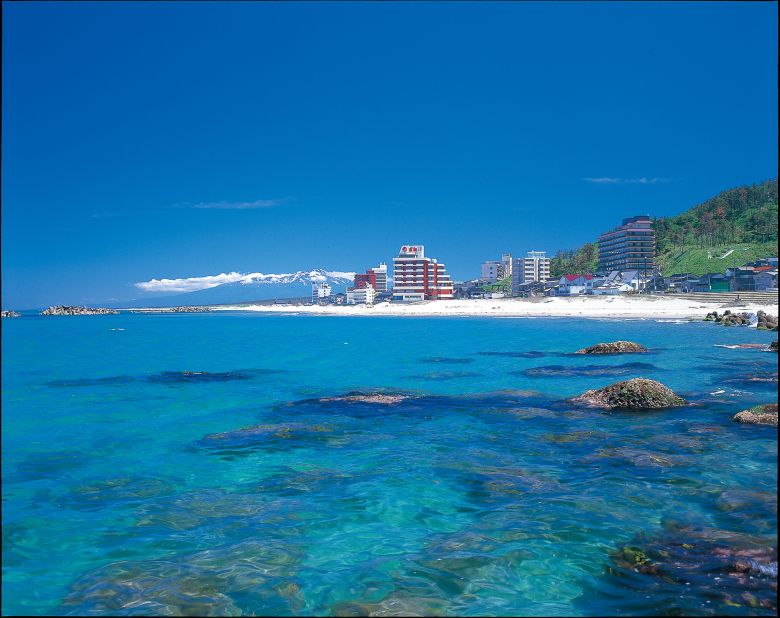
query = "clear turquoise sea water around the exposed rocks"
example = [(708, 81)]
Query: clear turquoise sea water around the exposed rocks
[(484, 494)]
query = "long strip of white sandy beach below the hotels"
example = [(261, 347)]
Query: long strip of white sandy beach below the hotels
[(658, 307)]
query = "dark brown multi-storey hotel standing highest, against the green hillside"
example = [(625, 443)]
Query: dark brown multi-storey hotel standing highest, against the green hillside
[(630, 246)]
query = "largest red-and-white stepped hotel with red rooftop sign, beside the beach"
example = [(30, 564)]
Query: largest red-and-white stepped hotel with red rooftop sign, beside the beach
[(416, 277)]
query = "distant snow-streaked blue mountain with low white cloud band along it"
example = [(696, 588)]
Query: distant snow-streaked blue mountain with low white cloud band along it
[(234, 287)]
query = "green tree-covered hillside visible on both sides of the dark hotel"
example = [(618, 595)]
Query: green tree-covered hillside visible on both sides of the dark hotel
[(742, 221)]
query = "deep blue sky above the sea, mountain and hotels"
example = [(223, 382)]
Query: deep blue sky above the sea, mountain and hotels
[(149, 140)]
